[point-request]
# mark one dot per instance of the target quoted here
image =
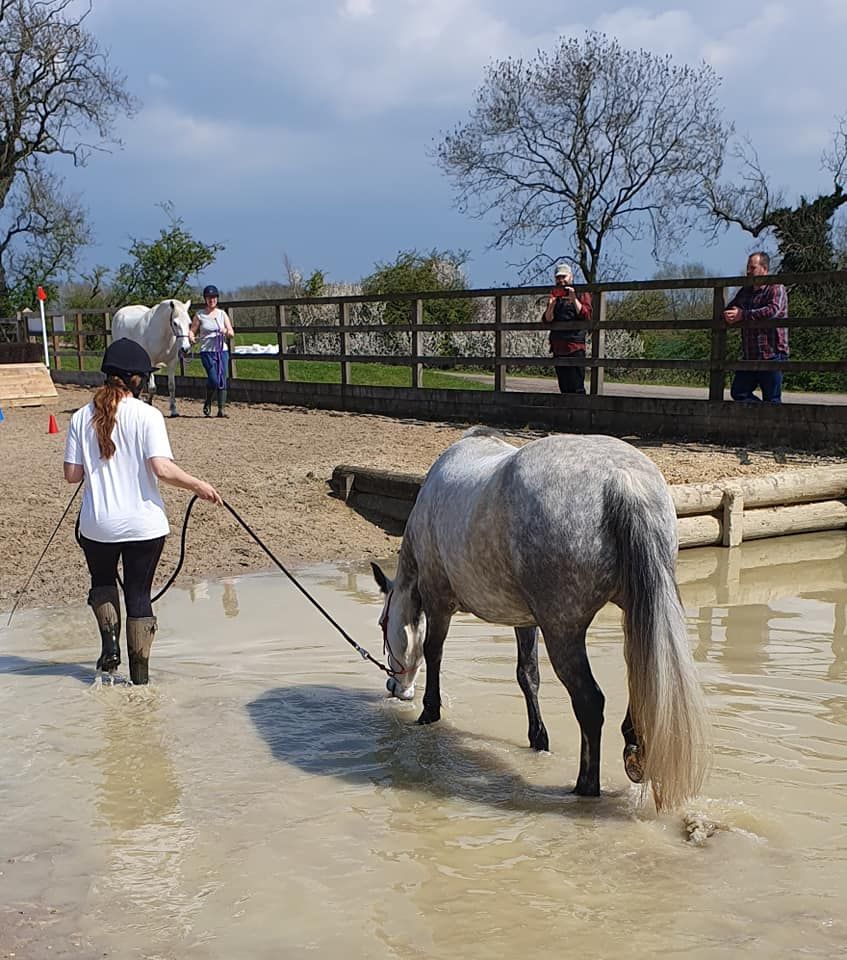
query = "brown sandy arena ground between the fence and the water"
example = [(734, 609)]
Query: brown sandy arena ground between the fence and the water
[(272, 465)]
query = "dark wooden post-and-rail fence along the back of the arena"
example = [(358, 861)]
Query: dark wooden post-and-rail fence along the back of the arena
[(70, 340)]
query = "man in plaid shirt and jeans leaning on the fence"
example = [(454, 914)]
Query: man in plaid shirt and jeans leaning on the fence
[(765, 302)]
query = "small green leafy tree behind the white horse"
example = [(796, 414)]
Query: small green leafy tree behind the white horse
[(163, 267)]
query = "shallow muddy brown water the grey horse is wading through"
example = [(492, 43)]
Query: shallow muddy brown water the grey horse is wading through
[(262, 799)]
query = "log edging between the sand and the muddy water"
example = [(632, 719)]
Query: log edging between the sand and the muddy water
[(708, 514)]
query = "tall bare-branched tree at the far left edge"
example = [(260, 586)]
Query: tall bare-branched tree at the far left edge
[(59, 96)]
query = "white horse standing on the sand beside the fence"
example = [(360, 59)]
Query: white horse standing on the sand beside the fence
[(163, 331)]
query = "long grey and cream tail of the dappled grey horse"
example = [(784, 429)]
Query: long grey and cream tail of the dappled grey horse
[(666, 702)]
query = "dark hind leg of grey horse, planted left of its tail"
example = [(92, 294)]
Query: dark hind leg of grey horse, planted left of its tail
[(570, 661)]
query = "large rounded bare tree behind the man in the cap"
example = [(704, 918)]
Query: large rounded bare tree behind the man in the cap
[(587, 144)]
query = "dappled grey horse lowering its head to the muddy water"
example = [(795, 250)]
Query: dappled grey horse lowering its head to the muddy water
[(543, 536)]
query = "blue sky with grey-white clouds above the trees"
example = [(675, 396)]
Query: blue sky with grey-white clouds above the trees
[(305, 128)]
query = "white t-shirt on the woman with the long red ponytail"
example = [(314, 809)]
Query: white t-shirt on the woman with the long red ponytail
[(121, 499)]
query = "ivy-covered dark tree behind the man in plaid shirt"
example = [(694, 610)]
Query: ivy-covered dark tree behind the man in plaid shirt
[(805, 239)]
